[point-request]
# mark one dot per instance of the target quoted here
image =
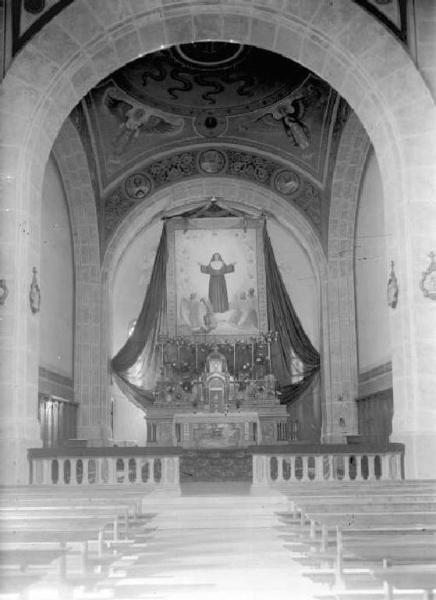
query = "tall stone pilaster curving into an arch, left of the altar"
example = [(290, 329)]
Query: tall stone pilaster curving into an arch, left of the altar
[(72, 161)]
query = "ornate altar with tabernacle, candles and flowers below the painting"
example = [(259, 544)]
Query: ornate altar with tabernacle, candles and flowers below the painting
[(209, 407)]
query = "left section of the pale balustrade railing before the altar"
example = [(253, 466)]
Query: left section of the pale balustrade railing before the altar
[(100, 469)]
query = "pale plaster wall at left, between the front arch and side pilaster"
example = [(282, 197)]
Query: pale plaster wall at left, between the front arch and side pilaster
[(56, 278)]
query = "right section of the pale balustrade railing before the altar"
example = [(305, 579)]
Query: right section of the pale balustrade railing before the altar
[(343, 465)]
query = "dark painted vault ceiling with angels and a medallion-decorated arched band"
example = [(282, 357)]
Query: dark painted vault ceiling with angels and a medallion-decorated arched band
[(210, 108)]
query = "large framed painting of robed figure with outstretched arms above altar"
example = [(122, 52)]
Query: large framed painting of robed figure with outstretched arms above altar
[(216, 278)]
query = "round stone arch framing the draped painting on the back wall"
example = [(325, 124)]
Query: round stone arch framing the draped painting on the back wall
[(241, 194)]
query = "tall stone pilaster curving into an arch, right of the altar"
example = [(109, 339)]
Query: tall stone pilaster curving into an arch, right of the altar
[(347, 176)]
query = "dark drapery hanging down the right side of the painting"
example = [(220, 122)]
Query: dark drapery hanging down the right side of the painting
[(292, 338)]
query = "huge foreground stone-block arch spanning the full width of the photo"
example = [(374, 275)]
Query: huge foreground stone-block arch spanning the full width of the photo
[(338, 40)]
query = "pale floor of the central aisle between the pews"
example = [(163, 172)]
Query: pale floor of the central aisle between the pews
[(214, 541)]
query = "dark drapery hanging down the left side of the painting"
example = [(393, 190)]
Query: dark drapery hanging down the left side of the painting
[(144, 336)]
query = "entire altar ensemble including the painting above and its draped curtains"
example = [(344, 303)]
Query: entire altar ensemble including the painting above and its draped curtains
[(210, 359)]
